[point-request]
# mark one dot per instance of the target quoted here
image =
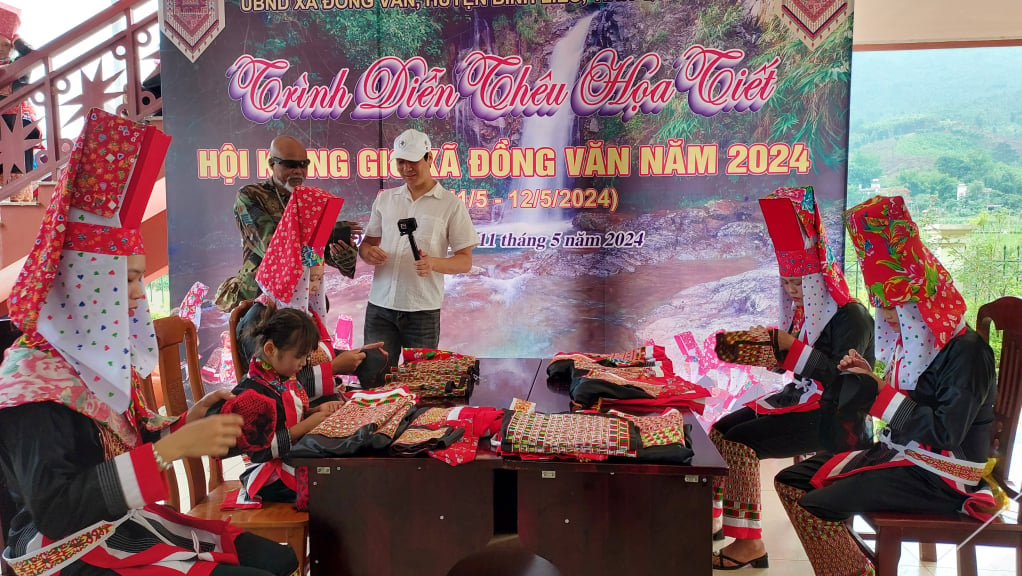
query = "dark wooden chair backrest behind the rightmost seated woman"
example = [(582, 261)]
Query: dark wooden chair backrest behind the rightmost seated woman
[(1006, 315)]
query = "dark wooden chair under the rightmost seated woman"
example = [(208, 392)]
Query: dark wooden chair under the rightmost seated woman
[(891, 529)]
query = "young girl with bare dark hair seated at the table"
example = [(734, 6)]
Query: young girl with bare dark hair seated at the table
[(286, 339)]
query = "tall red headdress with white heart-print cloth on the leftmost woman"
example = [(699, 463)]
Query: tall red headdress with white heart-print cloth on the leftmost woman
[(72, 292)]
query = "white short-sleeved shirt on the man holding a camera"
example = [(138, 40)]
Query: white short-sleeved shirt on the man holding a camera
[(443, 223)]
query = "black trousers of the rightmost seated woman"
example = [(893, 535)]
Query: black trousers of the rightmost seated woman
[(907, 490)]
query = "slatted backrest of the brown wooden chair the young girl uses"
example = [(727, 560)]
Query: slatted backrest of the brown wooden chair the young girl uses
[(172, 332)]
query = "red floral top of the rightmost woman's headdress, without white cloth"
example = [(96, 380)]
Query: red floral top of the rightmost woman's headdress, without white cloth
[(899, 270)]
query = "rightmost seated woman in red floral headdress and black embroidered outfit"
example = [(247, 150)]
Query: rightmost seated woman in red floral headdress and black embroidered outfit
[(937, 397)]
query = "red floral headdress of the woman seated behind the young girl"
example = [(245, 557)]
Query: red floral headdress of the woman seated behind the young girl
[(299, 242)]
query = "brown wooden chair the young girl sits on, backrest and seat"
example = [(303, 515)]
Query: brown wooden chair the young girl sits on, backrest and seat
[(276, 521)]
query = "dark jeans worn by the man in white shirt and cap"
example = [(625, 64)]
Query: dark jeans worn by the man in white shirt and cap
[(402, 330)]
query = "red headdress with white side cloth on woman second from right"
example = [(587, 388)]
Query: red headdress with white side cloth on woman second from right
[(801, 244)]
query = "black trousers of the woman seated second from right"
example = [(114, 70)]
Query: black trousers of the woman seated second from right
[(780, 436)]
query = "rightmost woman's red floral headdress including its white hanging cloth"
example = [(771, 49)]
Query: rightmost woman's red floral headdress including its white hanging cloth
[(900, 272)]
